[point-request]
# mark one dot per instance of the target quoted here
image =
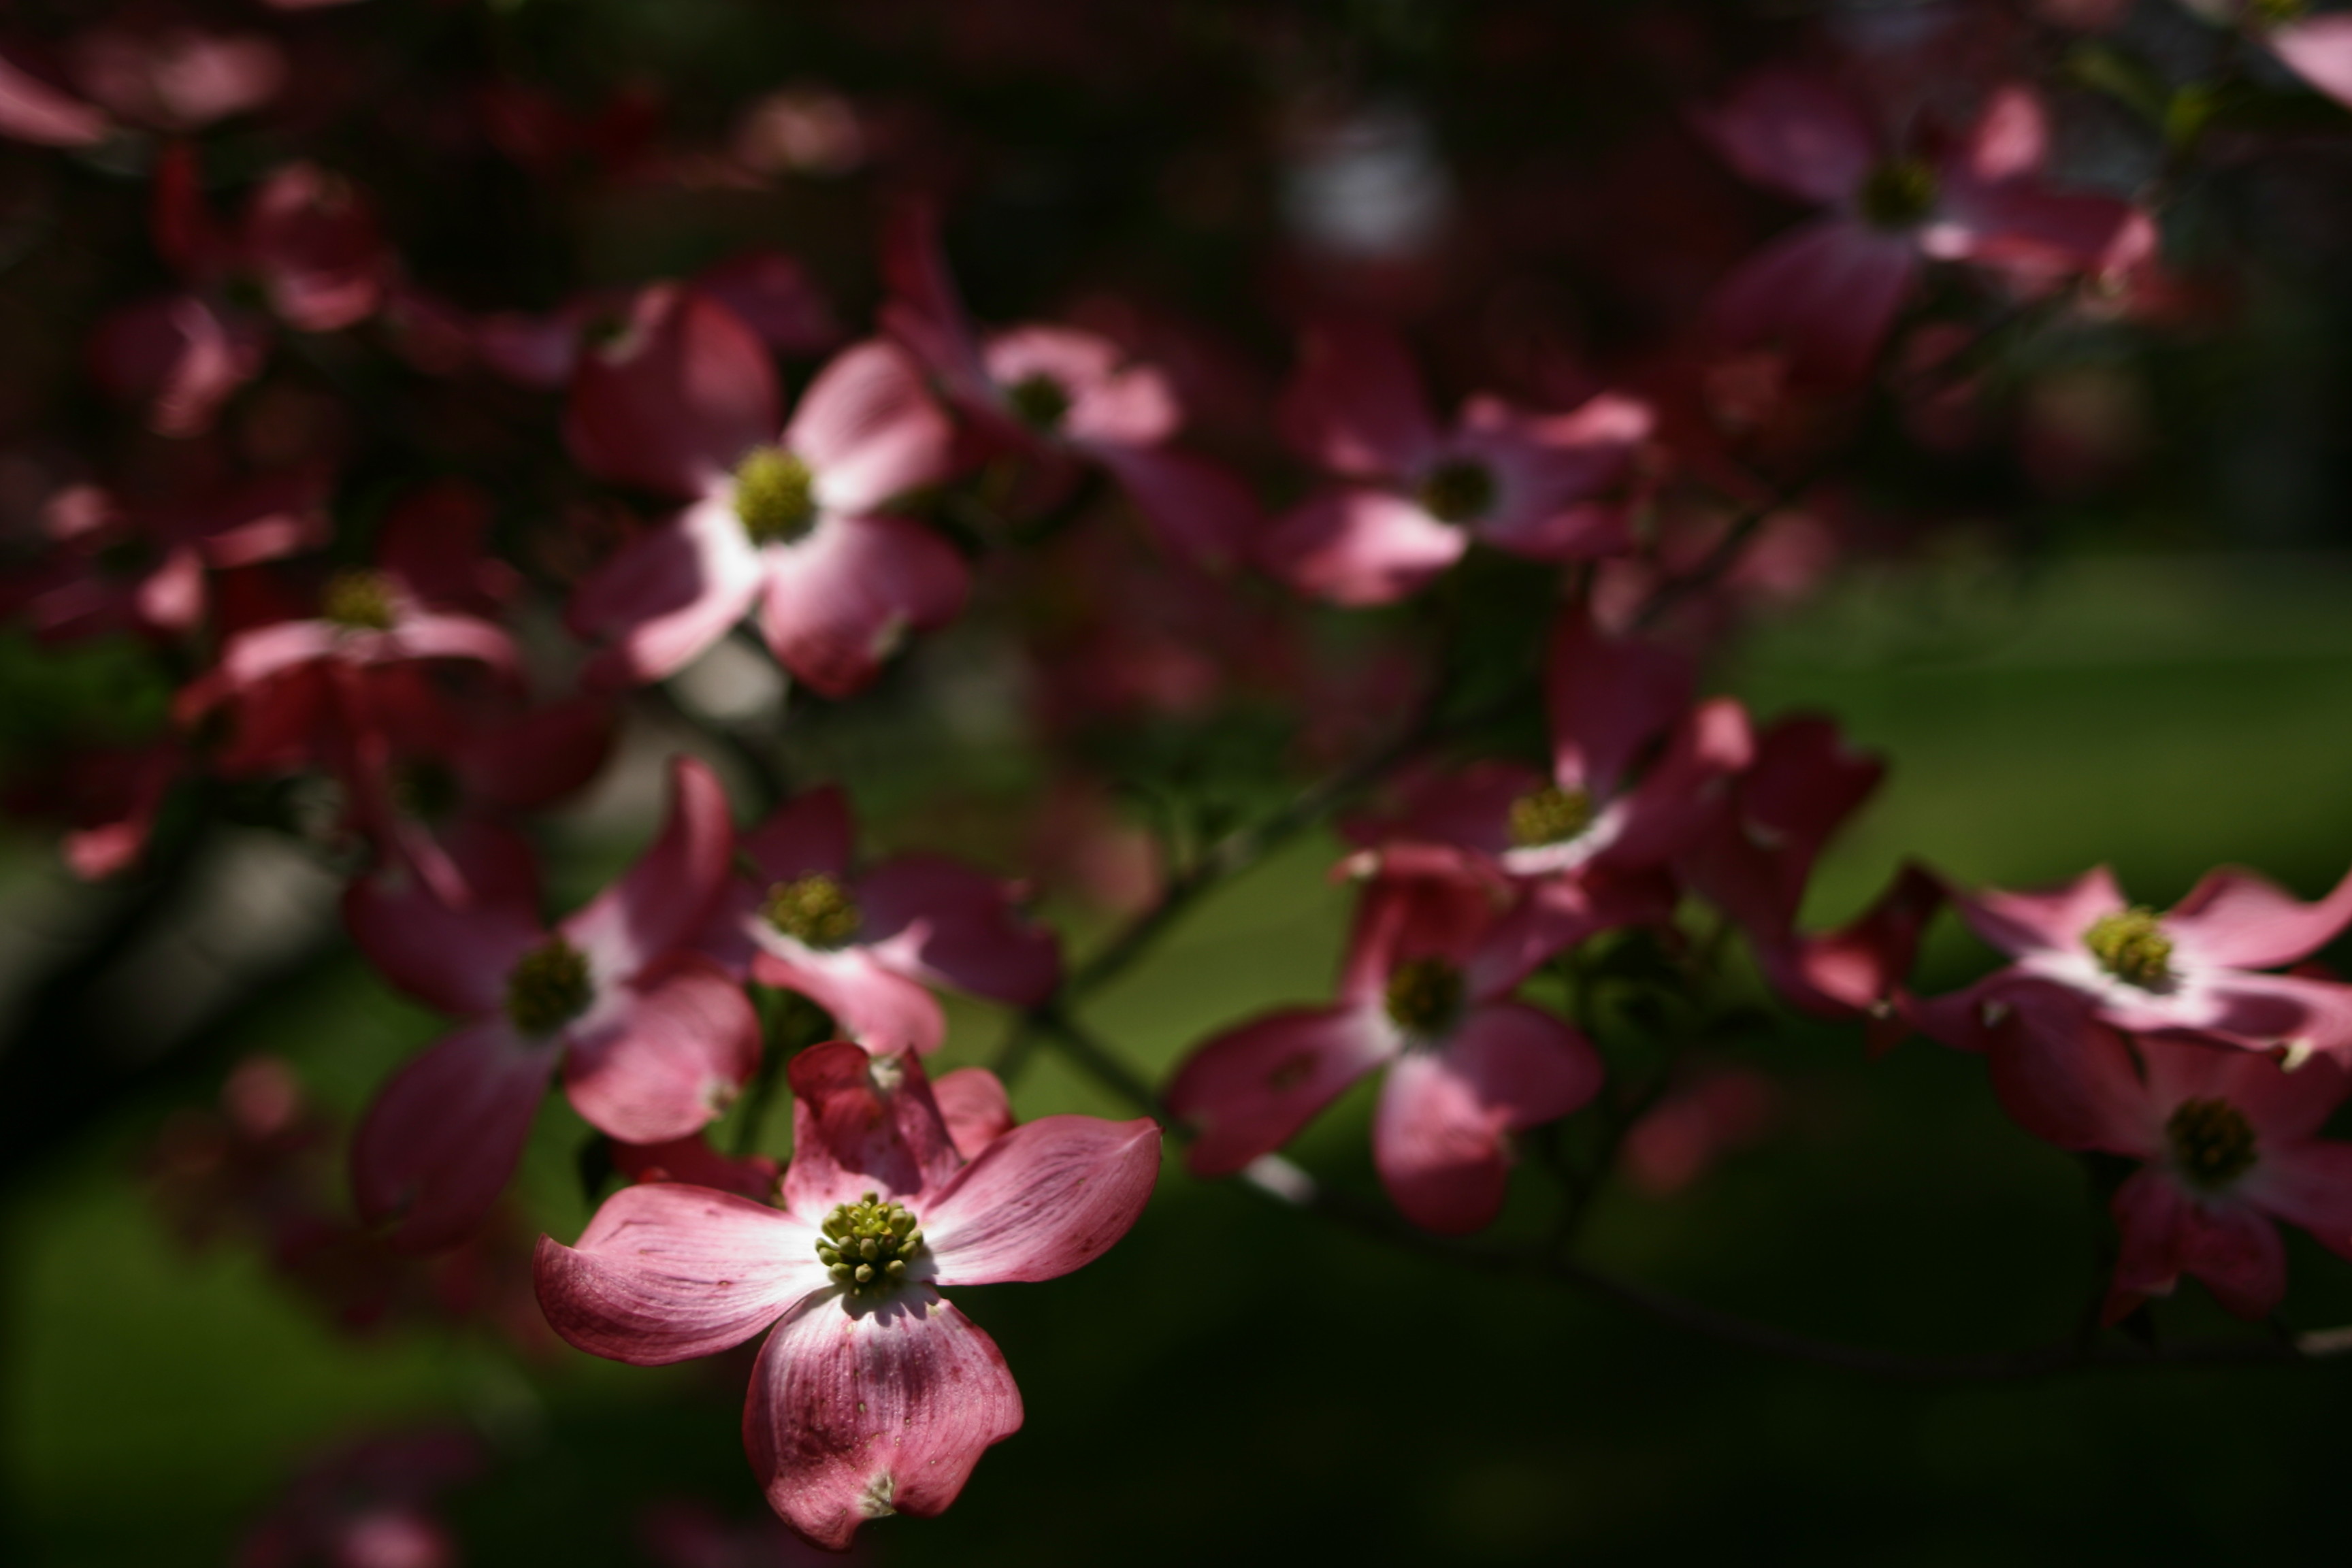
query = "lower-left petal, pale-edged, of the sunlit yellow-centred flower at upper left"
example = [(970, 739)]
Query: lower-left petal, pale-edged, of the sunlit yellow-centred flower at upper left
[(667, 596)]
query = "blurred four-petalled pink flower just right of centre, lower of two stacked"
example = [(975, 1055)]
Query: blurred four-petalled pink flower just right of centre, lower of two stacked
[(1424, 993)]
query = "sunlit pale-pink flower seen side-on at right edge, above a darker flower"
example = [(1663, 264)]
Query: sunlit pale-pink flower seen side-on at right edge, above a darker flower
[(2191, 974)]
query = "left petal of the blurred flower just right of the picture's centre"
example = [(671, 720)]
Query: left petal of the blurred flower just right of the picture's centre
[(1252, 1087)]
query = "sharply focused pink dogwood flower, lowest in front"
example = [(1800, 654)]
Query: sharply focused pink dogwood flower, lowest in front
[(874, 1395)]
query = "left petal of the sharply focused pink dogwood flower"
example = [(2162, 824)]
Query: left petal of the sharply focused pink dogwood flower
[(667, 1273)]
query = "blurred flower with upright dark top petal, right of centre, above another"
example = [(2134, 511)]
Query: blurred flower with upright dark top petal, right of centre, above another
[(1612, 704)]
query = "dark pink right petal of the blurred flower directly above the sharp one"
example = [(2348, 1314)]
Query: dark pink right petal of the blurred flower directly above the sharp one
[(951, 925)]
